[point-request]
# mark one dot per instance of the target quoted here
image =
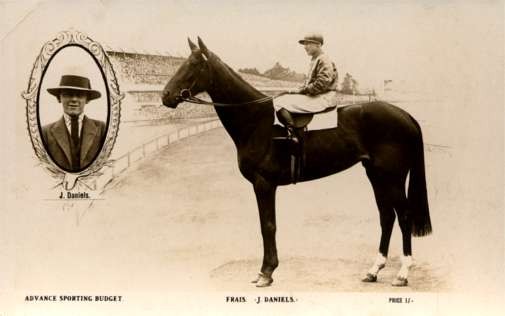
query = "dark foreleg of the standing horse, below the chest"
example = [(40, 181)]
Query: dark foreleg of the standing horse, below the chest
[(265, 197)]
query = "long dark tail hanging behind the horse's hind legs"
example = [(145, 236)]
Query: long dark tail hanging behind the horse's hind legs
[(417, 192)]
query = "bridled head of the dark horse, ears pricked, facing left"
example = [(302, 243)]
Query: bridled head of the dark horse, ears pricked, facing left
[(191, 78)]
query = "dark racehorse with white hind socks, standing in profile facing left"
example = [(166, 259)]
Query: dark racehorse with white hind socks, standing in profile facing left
[(384, 138)]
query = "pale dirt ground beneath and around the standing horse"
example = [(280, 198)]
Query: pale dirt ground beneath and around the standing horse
[(185, 219)]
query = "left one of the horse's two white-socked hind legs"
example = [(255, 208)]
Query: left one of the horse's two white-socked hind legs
[(384, 200)]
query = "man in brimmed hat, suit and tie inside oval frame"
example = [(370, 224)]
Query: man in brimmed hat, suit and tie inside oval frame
[(74, 140)]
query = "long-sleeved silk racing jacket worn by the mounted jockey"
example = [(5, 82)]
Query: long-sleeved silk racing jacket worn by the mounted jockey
[(323, 76)]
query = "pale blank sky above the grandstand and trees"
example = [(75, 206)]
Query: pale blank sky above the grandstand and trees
[(426, 44)]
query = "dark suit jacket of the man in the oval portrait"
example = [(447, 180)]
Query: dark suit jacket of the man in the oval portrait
[(57, 140)]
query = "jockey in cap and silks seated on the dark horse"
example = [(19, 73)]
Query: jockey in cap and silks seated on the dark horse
[(322, 77)]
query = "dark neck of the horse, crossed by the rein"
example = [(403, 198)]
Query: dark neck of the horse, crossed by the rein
[(248, 125)]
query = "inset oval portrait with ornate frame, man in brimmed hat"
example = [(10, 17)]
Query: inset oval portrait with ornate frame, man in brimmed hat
[(73, 106)]
